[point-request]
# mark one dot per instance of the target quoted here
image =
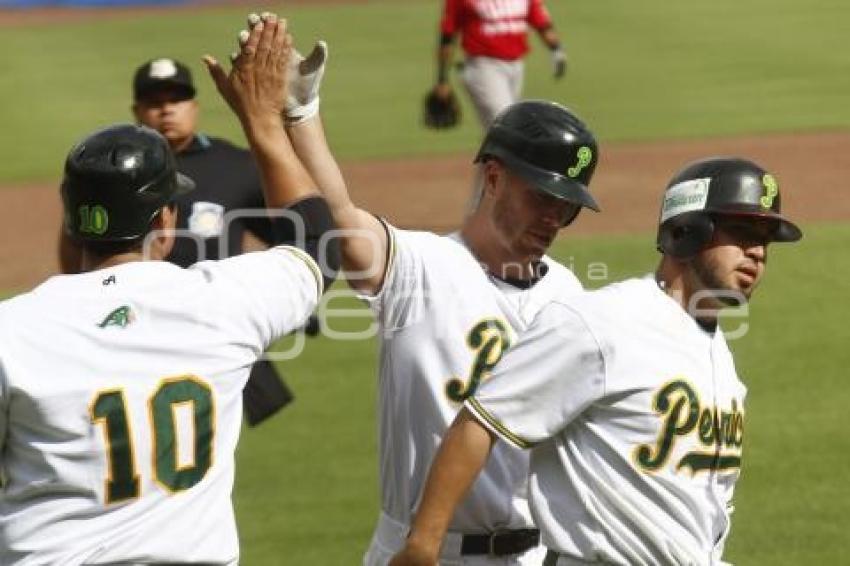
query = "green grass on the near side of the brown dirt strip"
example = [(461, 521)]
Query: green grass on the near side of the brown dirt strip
[(307, 481)]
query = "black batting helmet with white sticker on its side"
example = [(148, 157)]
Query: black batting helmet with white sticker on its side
[(718, 186)]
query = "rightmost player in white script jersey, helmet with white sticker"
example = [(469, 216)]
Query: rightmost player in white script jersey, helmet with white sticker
[(628, 396)]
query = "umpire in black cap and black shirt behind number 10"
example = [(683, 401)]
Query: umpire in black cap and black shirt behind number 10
[(226, 181)]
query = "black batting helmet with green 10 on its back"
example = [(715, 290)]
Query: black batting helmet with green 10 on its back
[(116, 180)]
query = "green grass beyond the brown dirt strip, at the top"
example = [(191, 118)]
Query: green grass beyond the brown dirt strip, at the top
[(639, 70)]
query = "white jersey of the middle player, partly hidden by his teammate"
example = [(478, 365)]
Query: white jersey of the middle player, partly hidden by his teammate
[(444, 324)]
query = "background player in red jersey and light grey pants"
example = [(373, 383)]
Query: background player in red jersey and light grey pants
[(494, 41)]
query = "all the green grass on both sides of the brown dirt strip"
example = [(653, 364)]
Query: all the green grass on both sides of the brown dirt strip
[(306, 488)]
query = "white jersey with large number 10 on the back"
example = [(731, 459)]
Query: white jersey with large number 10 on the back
[(120, 406)]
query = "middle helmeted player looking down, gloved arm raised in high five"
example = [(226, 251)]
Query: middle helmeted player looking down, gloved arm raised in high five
[(450, 306)]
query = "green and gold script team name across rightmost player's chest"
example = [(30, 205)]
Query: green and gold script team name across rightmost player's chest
[(682, 413)]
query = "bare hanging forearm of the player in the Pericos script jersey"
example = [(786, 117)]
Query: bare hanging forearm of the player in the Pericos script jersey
[(463, 453)]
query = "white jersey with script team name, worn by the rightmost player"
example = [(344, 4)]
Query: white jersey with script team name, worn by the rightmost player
[(635, 415)]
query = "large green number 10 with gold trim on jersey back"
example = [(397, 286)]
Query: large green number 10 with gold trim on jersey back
[(109, 409)]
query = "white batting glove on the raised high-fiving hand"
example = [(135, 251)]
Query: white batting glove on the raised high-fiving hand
[(304, 77)]
